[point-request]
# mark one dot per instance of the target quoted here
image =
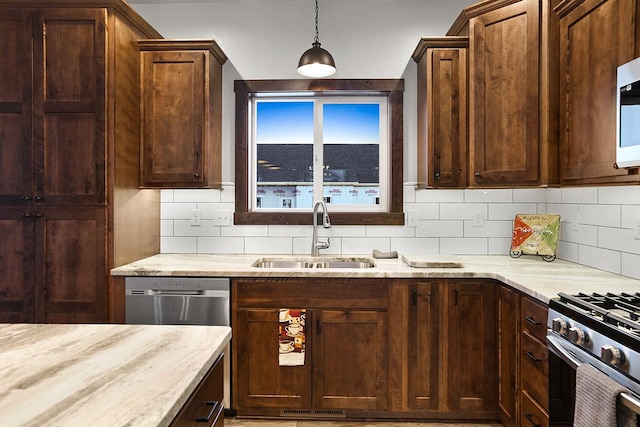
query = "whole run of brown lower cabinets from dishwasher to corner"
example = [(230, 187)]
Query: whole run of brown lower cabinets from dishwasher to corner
[(375, 349)]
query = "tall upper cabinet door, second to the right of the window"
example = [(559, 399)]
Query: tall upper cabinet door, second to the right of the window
[(504, 96)]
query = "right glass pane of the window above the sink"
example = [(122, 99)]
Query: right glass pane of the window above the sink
[(351, 154)]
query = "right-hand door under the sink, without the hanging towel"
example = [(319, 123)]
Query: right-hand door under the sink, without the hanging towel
[(360, 380)]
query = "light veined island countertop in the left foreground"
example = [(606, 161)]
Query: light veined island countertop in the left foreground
[(102, 375)]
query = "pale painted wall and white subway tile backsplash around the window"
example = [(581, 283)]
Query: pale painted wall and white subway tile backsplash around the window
[(371, 39)]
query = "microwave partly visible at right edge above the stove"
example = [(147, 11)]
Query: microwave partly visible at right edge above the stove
[(628, 115)]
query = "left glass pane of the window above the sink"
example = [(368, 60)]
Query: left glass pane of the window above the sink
[(284, 155)]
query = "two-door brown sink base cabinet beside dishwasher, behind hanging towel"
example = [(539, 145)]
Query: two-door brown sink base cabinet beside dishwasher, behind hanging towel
[(343, 317)]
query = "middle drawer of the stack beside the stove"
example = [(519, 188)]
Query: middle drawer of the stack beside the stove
[(534, 362)]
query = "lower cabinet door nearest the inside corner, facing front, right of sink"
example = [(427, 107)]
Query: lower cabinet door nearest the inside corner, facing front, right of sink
[(471, 361)]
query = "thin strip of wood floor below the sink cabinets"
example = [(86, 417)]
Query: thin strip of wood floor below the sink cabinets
[(234, 422)]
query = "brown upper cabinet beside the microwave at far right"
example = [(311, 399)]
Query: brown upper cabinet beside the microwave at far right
[(596, 36)]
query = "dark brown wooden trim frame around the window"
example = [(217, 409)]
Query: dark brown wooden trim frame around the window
[(391, 88)]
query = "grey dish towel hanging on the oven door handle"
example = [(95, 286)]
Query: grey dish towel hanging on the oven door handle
[(596, 400)]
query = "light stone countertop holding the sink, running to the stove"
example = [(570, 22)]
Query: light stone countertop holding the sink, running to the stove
[(529, 274)]
